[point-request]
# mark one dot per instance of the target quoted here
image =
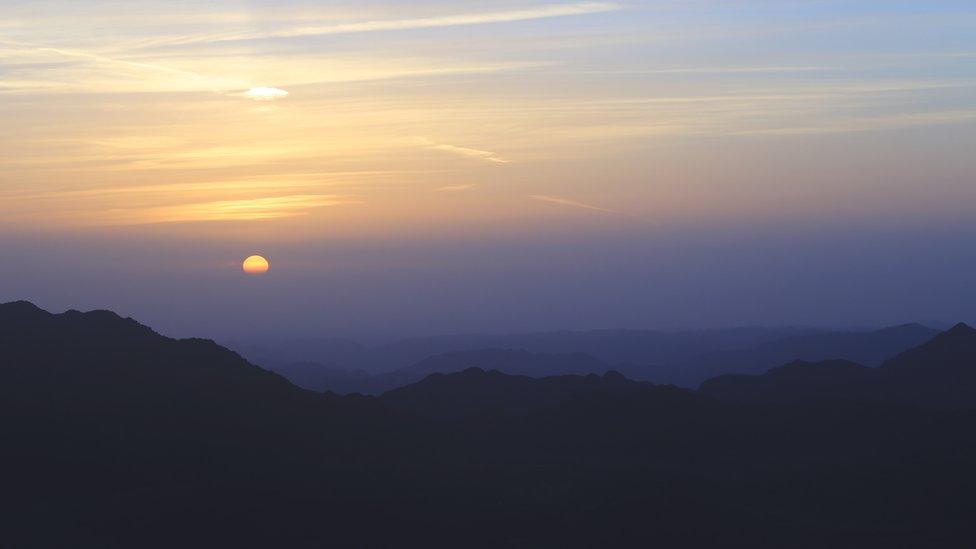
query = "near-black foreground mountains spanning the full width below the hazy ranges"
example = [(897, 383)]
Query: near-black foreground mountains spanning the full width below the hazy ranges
[(115, 436)]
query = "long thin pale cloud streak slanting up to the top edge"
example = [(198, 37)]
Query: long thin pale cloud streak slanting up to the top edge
[(541, 12)]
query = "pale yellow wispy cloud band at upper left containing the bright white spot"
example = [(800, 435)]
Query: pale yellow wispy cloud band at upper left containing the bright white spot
[(31, 67)]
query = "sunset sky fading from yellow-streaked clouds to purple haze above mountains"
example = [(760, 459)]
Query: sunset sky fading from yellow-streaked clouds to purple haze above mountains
[(414, 168)]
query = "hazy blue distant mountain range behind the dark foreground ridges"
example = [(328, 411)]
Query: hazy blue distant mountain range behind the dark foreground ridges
[(681, 358)]
